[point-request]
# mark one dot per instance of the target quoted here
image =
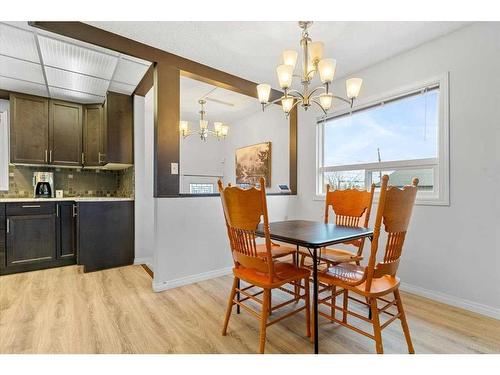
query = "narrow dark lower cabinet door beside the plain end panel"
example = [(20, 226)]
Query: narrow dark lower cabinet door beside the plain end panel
[(66, 246)]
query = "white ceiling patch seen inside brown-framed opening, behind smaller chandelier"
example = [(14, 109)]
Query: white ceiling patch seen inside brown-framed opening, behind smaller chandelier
[(222, 105)]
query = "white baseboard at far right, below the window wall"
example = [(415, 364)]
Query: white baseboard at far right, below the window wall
[(479, 308)]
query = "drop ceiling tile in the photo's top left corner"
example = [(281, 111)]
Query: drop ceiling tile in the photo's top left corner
[(18, 43)]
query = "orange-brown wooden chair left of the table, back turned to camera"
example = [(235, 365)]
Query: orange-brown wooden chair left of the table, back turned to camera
[(243, 210)]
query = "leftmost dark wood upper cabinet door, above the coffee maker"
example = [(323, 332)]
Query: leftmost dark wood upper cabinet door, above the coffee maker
[(29, 129)]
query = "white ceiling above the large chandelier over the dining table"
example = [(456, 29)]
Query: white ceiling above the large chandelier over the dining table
[(252, 50)]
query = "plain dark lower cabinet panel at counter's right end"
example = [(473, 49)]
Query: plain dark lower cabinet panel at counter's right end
[(105, 234)]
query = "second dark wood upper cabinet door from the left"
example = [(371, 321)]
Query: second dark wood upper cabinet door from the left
[(65, 133)]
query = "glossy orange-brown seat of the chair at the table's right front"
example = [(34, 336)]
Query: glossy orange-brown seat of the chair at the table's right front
[(346, 273)]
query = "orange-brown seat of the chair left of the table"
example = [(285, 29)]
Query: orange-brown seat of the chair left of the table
[(284, 273)]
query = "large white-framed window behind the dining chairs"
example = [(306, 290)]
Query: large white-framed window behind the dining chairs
[(404, 135)]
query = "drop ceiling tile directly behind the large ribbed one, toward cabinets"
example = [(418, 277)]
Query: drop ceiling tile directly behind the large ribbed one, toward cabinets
[(74, 81)]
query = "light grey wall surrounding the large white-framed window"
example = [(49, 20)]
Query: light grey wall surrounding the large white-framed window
[(451, 253)]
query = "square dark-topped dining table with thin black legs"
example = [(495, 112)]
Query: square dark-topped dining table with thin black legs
[(313, 235)]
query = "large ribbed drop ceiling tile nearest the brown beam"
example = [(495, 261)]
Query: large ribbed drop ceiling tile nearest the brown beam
[(77, 59)]
